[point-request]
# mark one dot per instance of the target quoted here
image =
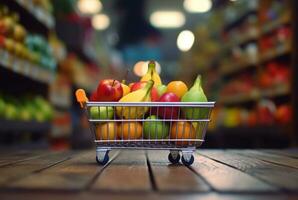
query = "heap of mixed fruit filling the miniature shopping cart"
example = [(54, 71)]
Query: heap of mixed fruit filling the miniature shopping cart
[(149, 89)]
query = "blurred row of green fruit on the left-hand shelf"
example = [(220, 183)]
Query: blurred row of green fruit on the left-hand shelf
[(25, 108)]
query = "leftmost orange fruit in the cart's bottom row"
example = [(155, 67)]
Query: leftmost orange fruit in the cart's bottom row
[(106, 131)]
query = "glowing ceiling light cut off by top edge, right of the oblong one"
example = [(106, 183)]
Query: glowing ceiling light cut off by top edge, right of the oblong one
[(197, 6)]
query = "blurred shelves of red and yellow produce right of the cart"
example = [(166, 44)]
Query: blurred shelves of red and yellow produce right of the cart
[(250, 73)]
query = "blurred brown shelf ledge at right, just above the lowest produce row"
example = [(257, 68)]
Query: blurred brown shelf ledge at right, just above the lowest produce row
[(255, 95)]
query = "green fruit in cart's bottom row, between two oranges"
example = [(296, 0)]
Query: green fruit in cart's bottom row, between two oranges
[(155, 130)]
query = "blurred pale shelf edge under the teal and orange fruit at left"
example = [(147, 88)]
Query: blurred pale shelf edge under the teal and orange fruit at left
[(25, 68)]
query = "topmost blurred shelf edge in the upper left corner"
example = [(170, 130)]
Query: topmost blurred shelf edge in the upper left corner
[(41, 15)]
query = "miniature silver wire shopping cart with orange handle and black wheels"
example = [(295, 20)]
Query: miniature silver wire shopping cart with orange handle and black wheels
[(175, 126)]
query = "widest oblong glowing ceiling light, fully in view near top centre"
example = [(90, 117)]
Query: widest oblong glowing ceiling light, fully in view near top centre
[(167, 19)]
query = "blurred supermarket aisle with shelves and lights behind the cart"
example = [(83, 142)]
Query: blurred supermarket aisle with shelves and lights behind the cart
[(243, 48)]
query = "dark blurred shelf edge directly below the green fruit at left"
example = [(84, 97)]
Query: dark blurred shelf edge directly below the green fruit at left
[(30, 126)]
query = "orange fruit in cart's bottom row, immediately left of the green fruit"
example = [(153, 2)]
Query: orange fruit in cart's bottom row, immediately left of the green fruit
[(129, 130)]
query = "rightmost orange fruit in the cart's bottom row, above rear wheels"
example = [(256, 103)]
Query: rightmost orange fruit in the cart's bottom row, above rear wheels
[(182, 130)]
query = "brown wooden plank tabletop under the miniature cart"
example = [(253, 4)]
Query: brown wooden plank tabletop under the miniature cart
[(216, 174)]
